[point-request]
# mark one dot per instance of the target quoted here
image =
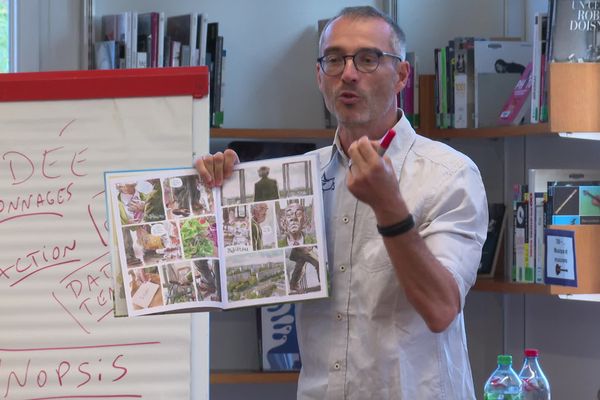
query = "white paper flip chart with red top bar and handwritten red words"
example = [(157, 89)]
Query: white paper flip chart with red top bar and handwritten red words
[(59, 132)]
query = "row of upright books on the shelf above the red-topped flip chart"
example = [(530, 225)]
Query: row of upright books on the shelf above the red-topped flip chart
[(149, 40)]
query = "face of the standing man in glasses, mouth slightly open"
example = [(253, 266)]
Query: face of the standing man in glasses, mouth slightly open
[(359, 98)]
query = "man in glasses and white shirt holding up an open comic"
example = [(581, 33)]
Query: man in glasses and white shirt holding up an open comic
[(404, 233)]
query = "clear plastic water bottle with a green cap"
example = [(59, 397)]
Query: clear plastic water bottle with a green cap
[(504, 383)]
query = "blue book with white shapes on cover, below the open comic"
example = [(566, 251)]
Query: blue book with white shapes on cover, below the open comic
[(278, 339)]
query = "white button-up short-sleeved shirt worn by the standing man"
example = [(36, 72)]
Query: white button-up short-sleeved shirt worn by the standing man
[(367, 341)]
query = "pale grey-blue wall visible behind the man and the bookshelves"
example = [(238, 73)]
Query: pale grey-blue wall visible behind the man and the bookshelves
[(271, 50)]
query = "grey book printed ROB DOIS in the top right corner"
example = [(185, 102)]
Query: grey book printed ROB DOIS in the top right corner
[(575, 32)]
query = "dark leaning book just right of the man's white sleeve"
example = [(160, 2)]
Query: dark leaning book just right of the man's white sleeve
[(492, 245)]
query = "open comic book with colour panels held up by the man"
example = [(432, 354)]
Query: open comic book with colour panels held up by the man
[(178, 246)]
